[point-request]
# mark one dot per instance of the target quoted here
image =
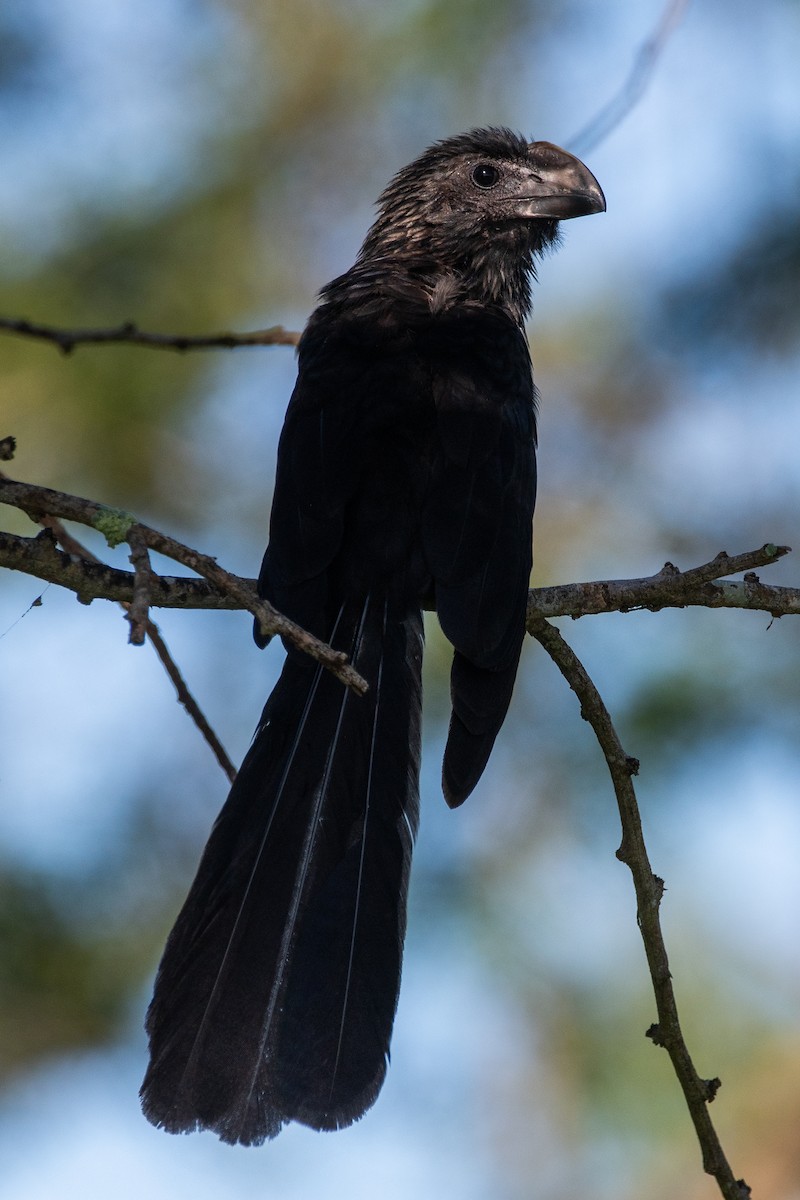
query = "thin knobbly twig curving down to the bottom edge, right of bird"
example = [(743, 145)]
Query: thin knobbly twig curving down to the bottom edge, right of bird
[(649, 891)]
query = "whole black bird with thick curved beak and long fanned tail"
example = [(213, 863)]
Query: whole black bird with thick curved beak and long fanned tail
[(406, 479)]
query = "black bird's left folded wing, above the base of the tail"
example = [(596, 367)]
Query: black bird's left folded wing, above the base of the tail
[(354, 465)]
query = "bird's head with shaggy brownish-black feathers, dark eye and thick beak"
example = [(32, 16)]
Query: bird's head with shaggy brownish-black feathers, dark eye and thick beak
[(482, 206)]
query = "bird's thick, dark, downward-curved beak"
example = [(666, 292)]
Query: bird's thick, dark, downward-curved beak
[(560, 187)]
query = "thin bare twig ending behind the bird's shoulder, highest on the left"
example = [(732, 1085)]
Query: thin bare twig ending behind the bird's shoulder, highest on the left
[(130, 334)]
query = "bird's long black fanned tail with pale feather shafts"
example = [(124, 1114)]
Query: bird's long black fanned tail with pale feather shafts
[(276, 994)]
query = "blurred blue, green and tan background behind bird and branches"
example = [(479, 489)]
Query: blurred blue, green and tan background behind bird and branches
[(207, 165)]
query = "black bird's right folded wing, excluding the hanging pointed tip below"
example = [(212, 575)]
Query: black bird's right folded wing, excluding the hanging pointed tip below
[(477, 523)]
